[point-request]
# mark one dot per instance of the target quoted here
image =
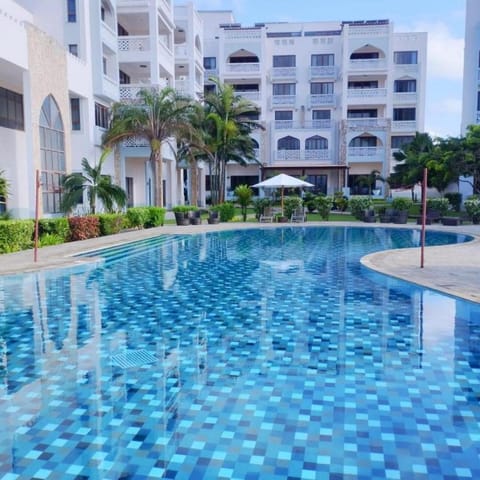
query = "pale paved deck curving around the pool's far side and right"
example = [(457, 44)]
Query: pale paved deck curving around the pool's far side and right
[(452, 269)]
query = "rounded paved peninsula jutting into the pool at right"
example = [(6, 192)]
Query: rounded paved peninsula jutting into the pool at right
[(452, 269)]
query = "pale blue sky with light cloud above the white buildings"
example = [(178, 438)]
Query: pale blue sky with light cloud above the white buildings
[(443, 20)]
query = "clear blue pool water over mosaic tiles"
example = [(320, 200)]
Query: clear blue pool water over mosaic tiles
[(258, 354)]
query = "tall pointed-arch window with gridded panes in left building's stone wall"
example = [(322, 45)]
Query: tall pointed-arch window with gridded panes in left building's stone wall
[(52, 151)]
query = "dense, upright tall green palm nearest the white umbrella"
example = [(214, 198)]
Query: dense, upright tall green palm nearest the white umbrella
[(229, 124)]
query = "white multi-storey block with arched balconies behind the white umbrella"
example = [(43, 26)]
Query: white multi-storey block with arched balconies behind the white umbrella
[(335, 97)]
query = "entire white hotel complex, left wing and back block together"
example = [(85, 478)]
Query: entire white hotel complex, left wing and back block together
[(335, 97)]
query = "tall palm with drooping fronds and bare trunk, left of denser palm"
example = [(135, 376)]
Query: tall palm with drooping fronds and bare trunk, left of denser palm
[(155, 117)]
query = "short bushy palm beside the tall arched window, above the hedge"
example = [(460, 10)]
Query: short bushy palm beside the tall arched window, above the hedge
[(96, 184)]
